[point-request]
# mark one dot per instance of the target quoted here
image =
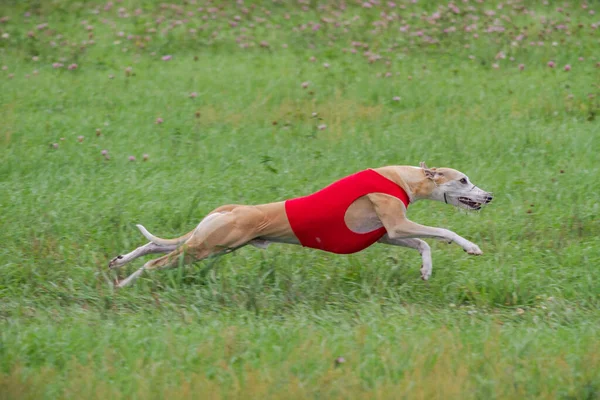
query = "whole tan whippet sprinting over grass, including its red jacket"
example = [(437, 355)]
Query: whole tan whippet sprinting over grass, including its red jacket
[(347, 216)]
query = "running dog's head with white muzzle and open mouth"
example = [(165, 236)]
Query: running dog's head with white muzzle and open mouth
[(454, 187)]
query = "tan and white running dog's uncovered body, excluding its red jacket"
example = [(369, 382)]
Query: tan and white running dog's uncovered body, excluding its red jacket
[(230, 227)]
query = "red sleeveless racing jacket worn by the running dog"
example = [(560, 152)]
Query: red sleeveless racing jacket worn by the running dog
[(318, 219)]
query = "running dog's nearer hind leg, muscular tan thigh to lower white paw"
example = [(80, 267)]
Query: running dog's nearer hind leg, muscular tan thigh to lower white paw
[(219, 233)]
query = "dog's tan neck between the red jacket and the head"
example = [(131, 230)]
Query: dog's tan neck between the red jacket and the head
[(411, 179)]
